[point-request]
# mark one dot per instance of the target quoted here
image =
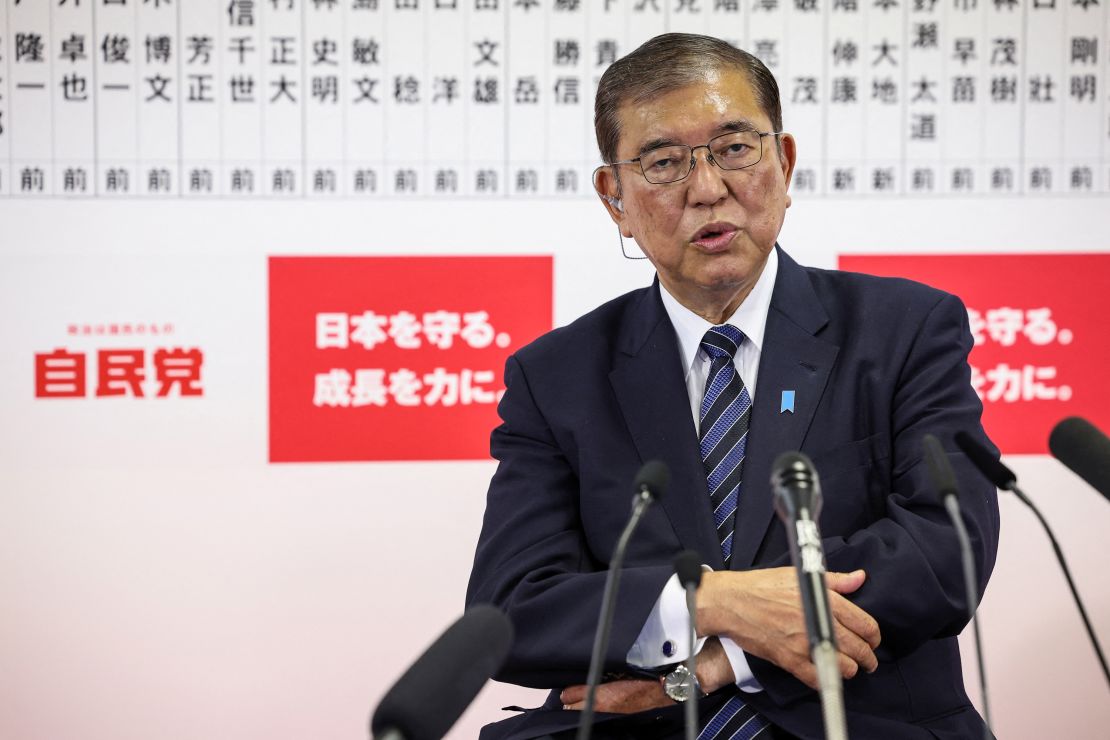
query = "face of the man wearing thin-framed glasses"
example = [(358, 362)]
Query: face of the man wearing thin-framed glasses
[(710, 235)]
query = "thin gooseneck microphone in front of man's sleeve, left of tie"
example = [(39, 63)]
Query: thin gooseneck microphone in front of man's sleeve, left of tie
[(651, 483)]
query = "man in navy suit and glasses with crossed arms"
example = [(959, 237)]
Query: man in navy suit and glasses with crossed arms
[(852, 370)]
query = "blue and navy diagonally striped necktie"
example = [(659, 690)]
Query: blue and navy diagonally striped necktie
[(726, 410)]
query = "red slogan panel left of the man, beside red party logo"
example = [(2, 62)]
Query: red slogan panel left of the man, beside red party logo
[(397, 359)]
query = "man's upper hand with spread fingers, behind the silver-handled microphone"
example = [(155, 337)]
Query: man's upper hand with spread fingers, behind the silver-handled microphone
[(761, 611)]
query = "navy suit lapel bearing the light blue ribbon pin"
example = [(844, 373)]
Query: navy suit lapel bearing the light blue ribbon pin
[(793, 359)]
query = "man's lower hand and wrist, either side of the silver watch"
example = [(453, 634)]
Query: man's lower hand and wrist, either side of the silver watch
[(640, 695)]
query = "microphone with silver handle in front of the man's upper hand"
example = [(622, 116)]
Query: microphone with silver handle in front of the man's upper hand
[(799, 504)]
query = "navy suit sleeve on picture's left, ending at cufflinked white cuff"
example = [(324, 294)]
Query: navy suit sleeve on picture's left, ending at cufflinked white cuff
[(533, 560)]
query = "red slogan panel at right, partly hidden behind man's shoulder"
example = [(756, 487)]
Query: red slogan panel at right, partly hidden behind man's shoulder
[(1040, 327)]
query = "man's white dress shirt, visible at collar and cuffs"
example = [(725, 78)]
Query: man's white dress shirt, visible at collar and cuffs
[(665, 636)]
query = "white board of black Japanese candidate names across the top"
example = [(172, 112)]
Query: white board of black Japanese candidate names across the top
[(495, 98)]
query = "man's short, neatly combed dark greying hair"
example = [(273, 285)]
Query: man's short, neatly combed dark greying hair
[(670, 63)]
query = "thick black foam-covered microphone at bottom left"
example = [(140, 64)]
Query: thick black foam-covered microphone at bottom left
[(436, 691)]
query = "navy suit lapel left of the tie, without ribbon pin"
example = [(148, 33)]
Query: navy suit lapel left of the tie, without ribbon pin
[(649, 382)]
